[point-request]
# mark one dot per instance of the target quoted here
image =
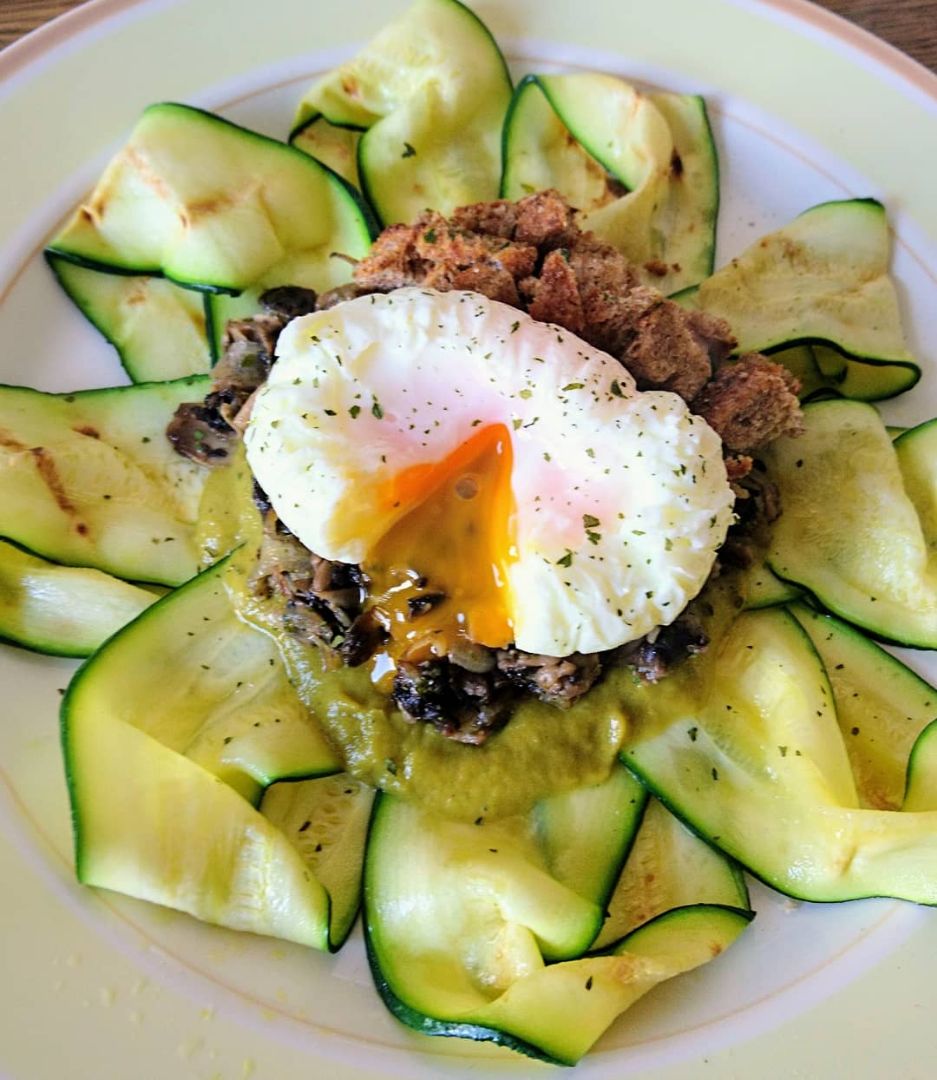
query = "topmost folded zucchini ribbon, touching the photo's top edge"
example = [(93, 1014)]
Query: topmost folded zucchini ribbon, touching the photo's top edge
[(431, 91)]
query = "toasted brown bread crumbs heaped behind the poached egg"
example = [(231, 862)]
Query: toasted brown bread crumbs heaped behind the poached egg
[(532, 255)]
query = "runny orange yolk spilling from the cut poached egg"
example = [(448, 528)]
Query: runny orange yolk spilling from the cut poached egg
[(438, 576)]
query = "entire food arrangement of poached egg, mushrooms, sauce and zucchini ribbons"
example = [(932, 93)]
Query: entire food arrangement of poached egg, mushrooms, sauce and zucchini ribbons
[(471, 548)]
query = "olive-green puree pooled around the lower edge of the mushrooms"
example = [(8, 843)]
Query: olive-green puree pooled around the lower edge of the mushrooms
[(541, 751)]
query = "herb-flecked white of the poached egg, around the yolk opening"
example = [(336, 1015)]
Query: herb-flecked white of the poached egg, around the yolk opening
[(622, 498)]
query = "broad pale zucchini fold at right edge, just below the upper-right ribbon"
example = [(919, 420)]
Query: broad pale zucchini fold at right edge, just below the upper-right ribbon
[(849, 533)]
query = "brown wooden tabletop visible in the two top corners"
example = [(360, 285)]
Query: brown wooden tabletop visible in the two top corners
[(911, 25)]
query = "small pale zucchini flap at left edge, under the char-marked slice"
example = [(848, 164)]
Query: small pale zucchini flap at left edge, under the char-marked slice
[(64, 611)]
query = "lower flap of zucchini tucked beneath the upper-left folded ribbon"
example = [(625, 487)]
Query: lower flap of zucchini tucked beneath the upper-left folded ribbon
[(159, 330)]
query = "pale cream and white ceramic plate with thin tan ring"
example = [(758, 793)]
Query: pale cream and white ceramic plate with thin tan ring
[(806, 110)]
